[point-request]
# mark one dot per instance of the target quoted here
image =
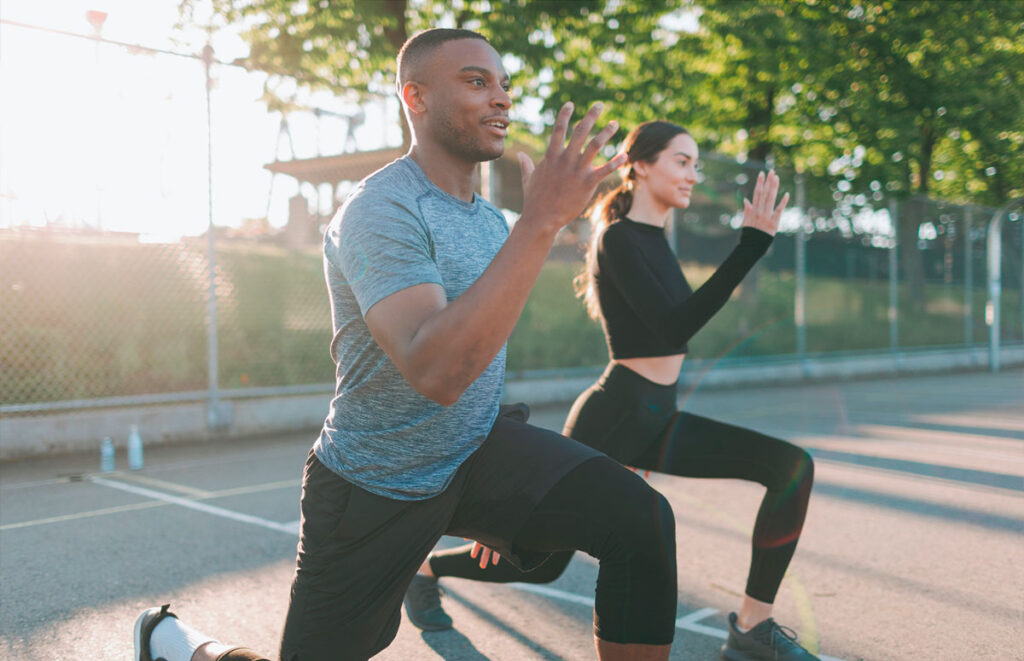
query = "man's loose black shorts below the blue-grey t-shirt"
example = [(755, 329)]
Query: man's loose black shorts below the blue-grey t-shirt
[(359, 551)]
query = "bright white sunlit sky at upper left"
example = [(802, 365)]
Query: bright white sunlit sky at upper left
[(106, 138)]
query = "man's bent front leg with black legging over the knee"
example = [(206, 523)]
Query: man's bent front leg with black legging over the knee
[(532, 492)]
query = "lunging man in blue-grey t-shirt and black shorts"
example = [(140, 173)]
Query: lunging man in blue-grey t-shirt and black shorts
[(426, 285)]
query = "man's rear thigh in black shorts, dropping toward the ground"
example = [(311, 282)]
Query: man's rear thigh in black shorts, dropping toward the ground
[(358, 554)]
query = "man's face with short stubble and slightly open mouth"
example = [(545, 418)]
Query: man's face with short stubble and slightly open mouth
[(466, 95)]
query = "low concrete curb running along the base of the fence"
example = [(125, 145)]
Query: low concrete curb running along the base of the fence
[(82, 430)]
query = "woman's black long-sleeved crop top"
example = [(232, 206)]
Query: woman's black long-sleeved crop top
[(648, 307)]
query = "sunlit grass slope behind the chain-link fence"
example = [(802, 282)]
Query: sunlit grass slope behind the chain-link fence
[(87, 320)]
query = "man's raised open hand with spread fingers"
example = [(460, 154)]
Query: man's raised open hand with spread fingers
[(559, 189)]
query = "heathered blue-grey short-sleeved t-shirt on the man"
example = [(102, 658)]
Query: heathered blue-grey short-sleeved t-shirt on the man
[(396, 231)]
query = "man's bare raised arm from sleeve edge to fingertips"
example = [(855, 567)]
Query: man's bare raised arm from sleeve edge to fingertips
[(442, 348)]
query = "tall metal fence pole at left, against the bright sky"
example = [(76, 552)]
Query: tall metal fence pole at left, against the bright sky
[(214, 418)]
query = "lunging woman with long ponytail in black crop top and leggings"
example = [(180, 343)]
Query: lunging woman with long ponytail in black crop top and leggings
[(633, 286)]
